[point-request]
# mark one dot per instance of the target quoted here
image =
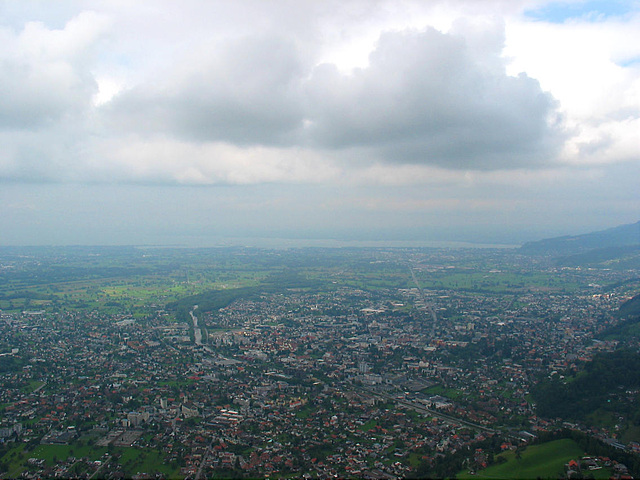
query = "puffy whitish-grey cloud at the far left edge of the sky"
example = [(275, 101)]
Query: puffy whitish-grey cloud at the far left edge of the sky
[(44, 73)]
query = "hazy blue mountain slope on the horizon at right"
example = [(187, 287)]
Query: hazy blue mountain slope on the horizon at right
[(612, 238)]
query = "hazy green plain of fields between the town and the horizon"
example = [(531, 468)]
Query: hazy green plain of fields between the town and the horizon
[(138, 281)]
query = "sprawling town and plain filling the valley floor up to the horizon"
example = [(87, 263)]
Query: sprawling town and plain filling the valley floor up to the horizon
[(367, 363)]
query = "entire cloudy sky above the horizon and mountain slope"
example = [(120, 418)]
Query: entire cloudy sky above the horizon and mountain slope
[(207, 122)]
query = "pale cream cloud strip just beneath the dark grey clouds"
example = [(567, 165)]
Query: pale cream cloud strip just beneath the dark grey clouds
[(164, 161)]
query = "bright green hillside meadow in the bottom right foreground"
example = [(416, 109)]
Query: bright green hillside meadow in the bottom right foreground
[(537, 461)]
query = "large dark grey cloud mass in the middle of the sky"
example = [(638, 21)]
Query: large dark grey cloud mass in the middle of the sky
[(425, 97)]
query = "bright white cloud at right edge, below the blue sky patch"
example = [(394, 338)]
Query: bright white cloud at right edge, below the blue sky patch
[(584, 64)]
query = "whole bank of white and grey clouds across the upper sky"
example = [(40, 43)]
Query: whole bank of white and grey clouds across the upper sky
[(209, 73)]
